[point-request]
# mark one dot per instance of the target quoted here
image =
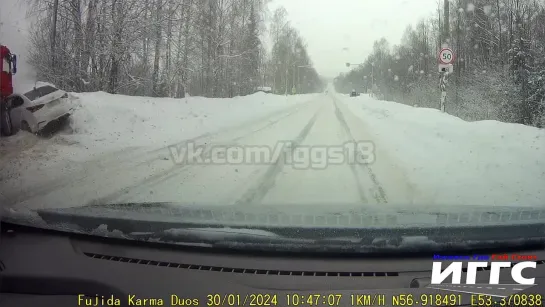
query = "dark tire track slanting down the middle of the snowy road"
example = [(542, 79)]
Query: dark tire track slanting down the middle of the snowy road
[(256, 193)]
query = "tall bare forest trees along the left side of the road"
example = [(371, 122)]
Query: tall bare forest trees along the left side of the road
[(162, 47)]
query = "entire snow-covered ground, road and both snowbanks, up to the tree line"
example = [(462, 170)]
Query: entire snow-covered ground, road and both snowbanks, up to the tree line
[(118, 151)]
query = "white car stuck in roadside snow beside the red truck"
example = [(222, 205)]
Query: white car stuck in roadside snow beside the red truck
[(34, 110)]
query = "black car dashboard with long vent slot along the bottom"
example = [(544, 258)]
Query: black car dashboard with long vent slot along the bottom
[(47, 268)]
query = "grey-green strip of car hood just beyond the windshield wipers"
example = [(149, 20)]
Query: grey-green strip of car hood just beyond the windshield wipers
[(335, 215)]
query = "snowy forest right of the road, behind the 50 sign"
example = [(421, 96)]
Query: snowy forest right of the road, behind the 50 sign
[(497, 73)]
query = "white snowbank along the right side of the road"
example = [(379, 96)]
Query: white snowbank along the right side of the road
[(459, 162)]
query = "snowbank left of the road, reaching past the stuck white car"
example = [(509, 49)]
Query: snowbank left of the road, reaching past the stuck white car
[(105, 125)]
